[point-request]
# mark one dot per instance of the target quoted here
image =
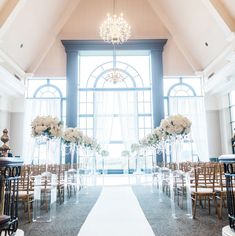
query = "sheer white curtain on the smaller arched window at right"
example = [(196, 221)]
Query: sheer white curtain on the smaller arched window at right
[(194, 109)]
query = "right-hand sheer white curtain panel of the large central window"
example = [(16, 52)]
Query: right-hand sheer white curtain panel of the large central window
[(127, 104)]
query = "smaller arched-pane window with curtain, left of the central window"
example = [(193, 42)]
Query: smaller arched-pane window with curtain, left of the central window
[(44, 97)]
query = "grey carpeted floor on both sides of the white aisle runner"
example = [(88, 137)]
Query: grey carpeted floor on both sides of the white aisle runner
[(70, 217)]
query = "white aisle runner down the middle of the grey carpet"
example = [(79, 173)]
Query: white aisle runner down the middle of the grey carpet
[(116, 213)]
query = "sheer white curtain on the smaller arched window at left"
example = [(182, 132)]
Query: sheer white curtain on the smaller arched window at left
[(33, 108)]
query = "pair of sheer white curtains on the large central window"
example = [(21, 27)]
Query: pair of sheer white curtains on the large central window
[(124, 105)]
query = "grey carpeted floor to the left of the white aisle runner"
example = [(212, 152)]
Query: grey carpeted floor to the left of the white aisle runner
[(69, 218)]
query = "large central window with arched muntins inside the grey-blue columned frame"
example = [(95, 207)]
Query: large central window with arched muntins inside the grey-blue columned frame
[(117, 114)]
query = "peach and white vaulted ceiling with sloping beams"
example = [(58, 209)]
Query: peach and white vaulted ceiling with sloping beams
[(202, 31)]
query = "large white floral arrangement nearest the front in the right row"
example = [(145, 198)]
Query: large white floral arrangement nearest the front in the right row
[(176, 125)]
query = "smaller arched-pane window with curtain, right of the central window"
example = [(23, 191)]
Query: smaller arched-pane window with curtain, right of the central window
[(183, 95)]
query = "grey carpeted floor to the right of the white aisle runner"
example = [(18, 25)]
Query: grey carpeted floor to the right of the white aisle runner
[(159, 215)]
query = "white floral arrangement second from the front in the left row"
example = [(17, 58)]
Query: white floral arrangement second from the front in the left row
[(72, 135)]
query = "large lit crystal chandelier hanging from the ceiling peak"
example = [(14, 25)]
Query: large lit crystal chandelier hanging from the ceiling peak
[(115, 29)]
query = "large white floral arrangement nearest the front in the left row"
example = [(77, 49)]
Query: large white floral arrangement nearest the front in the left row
[(47, 126)]
